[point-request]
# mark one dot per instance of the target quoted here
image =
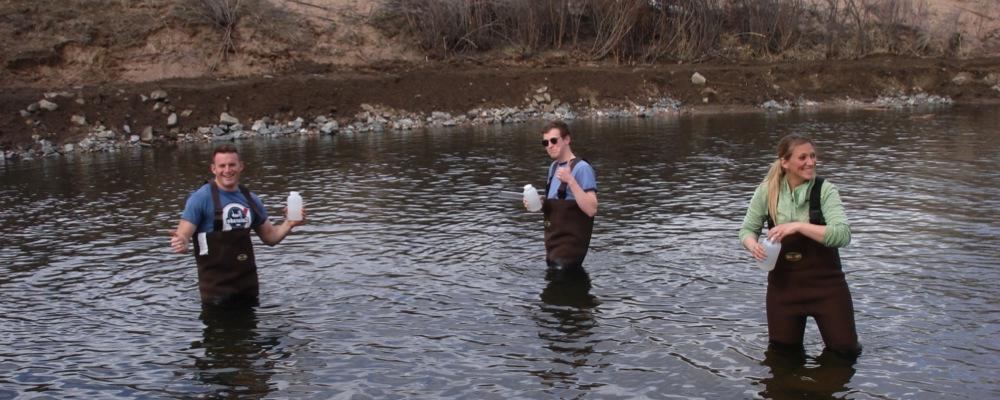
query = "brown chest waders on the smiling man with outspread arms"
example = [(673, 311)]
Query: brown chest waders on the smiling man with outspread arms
[(227, 275)]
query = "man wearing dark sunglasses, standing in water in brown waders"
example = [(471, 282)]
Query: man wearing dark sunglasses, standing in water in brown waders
[(570, 205)]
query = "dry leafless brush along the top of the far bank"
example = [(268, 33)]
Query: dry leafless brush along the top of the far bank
[(659, 30)]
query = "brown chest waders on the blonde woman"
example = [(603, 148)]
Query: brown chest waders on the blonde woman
[(808, 281)]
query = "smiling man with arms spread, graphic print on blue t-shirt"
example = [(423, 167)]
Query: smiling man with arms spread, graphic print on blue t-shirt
[(221, 214)]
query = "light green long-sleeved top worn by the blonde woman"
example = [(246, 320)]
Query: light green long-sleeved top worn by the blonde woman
[(793, 206)]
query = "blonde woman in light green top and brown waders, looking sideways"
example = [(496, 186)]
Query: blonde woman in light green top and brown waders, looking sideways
[(804, 214)]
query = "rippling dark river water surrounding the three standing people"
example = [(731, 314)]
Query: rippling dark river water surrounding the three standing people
[(414, 279)]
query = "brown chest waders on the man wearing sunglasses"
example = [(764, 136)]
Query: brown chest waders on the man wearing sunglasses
[(567, 233)]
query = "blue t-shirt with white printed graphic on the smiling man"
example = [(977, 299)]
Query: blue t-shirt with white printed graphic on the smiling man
[(236, 213)]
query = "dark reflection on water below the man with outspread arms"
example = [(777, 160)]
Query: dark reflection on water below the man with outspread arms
[(235, 355)]
